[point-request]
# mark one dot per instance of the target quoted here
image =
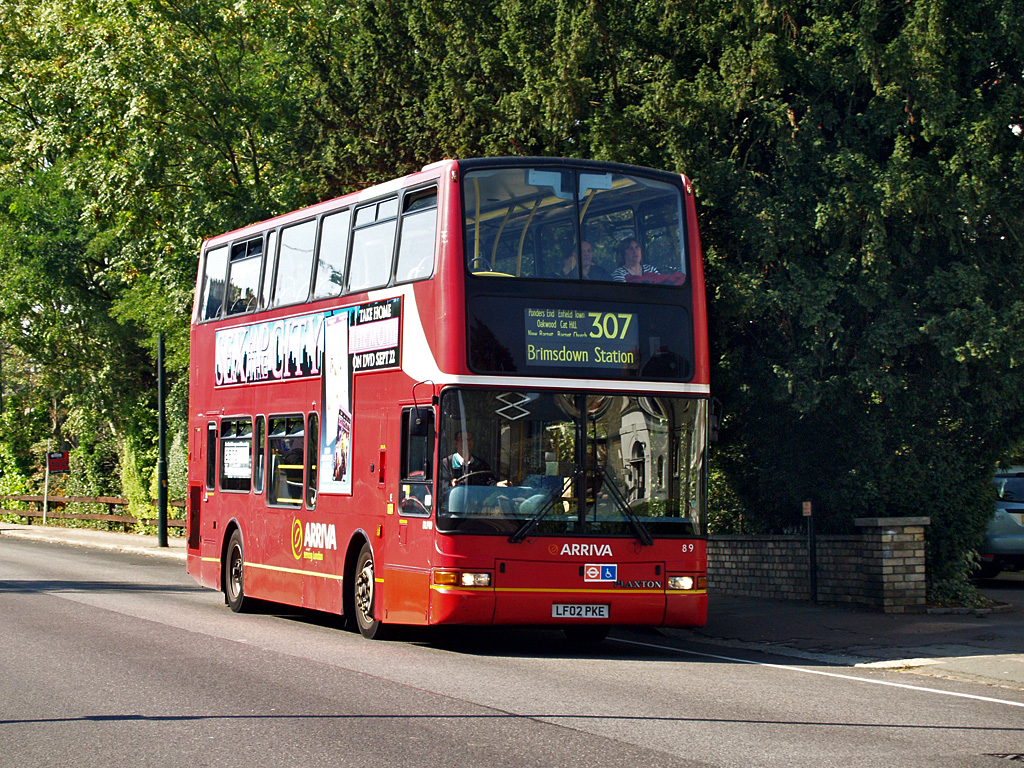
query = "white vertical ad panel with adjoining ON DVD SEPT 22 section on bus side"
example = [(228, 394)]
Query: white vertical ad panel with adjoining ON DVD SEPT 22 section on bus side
[(366, 337)]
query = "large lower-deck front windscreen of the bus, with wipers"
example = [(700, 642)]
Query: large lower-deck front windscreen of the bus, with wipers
[(534, 463)]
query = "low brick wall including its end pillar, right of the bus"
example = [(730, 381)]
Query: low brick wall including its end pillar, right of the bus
[(882, 567)]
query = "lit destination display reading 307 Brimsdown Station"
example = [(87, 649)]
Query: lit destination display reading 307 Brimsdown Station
[(560, 336)]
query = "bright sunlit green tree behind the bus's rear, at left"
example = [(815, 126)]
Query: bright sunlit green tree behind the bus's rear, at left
[(129, 132)]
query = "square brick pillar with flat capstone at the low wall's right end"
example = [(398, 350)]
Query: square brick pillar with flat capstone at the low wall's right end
[(894, 564)]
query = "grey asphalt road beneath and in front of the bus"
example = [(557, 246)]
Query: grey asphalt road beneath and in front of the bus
[(113, 659)]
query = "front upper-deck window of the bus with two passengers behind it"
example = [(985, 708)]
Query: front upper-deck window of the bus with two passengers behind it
[(560, 224)]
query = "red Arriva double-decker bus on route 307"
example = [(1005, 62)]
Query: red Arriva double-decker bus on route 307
[(478, 395)]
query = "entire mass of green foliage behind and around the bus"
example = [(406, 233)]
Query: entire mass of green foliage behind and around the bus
[(859, 167)]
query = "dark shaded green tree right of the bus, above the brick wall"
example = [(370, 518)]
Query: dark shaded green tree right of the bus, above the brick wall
[(857, 165)]
